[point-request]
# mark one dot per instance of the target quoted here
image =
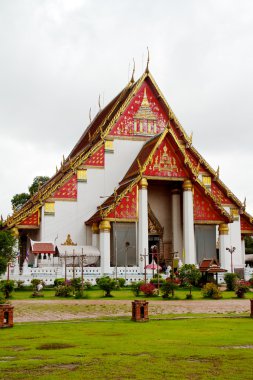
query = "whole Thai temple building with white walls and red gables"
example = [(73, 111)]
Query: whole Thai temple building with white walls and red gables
[(132, 182)]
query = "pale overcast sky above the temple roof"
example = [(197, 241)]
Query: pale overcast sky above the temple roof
[(57, 56)]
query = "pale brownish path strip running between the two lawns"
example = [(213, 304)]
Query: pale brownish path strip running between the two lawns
[(57, 310)]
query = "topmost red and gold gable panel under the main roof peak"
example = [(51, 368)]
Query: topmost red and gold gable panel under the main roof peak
[(144, 116)]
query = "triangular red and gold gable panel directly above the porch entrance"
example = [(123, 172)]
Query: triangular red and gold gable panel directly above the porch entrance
[(165, 163)]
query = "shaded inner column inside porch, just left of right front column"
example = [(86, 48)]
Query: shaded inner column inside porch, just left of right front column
[(177, 233)]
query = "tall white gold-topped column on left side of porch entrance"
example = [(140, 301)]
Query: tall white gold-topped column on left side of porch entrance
[(143, 222)]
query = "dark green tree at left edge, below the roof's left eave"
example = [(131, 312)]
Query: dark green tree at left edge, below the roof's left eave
[(7, 249)]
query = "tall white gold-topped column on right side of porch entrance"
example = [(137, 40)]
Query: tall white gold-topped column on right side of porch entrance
[(188, 224)]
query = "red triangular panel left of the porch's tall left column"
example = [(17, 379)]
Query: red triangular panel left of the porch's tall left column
[(127, 207)]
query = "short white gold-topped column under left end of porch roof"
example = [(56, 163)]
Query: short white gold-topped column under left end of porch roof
[(104, 242)]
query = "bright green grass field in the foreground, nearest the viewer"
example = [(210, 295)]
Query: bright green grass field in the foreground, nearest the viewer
[(198, 348)]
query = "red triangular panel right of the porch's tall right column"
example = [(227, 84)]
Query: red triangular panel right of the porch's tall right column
[(203, 209)]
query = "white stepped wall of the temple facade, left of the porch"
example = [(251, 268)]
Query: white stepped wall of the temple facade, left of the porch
[(70, 216)]
